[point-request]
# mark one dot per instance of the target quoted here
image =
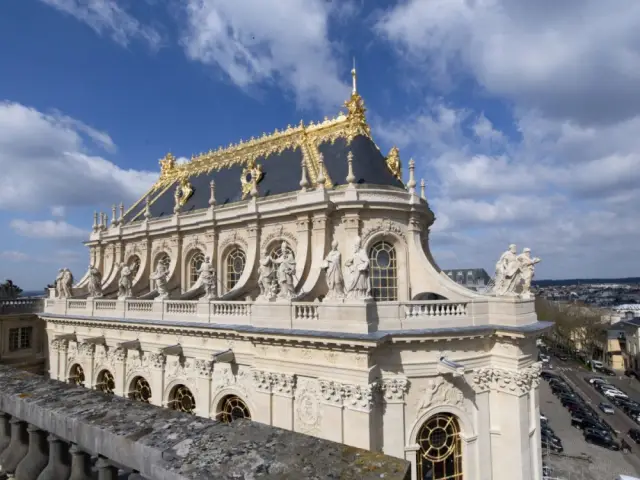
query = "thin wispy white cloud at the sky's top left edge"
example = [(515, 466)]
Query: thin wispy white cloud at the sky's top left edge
[(106, 17)]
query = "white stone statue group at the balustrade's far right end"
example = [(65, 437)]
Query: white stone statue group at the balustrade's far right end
[(514, 273)]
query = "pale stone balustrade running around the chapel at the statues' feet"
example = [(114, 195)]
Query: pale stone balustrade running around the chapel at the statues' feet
[(347, 317)]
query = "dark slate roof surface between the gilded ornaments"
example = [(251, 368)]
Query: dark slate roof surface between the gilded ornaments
[(281, 174)]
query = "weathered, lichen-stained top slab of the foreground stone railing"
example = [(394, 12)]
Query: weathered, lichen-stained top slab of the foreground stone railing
[(166, 445)]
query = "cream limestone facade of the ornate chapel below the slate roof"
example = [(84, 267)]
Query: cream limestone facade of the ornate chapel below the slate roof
[(425, 369)]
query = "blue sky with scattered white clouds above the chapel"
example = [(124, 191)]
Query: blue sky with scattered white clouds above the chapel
[(523, 116)]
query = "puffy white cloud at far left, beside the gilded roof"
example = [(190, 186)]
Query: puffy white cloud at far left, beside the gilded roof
[(45, 161)]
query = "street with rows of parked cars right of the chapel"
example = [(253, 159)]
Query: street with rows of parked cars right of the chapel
[(588, 415)]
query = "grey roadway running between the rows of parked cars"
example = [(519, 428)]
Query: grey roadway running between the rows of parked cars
[(575, 374)]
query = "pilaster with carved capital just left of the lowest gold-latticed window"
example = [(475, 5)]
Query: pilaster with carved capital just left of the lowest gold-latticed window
[(393, 426)]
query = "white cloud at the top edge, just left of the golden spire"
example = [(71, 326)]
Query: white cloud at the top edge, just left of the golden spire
[(256, 42)]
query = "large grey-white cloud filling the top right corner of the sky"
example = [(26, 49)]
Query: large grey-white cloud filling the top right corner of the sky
[(576, 59)]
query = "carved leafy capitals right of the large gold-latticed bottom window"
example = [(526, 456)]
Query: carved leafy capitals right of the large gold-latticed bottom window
[(508, 381)]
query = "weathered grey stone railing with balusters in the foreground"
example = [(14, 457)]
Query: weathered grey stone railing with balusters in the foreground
[(50, 430)]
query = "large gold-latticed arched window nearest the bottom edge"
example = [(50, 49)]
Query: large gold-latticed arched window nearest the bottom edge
[(440, 454)]
